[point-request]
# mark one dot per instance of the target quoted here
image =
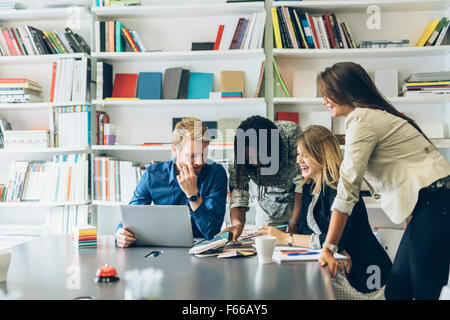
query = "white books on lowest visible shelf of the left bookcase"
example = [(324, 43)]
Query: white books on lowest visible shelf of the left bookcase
[(62, 220)]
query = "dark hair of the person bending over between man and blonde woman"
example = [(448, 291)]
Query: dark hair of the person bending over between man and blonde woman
[(244, 169)]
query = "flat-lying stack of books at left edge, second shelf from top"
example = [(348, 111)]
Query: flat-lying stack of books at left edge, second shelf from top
[(19, 91)]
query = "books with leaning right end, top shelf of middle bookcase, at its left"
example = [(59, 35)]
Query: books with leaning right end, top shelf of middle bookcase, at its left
[(113, 36)]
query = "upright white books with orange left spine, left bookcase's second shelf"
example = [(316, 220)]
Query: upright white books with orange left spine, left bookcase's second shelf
[(70, 80)]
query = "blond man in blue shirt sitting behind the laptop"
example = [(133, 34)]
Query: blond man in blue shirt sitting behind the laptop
[(189, 179)]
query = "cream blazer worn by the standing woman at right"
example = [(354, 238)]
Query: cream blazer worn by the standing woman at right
[(393, 157)]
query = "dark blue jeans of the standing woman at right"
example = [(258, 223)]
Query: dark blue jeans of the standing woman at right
[(421, 265)]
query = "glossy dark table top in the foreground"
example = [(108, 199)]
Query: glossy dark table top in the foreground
[(48, 268)]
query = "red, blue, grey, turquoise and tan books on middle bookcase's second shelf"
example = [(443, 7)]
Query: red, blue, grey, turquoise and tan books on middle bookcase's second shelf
[(178, 83)]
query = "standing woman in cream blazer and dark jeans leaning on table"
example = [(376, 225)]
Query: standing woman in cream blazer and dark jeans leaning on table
[(405, 173)]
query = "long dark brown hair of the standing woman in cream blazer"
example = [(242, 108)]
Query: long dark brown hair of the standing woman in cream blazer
[(347, 83)]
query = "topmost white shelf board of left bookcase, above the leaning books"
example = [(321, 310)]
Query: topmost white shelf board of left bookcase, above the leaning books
[(44, 14)]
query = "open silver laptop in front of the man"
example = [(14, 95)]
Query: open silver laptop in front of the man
[(158, 226)]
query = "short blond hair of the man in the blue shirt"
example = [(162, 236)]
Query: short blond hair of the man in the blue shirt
[(190, 129)]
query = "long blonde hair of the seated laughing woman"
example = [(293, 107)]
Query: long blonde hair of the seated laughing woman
[(321, 148)]
